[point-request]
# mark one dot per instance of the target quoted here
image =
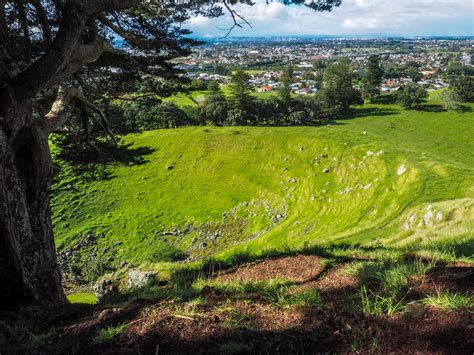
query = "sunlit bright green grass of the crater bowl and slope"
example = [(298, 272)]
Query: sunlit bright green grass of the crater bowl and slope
[(255, 173)]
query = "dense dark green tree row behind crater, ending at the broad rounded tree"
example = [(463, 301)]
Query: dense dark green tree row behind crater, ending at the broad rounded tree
[(240, 107)]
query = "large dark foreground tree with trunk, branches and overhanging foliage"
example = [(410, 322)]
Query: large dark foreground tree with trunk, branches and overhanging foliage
[(51, 54)]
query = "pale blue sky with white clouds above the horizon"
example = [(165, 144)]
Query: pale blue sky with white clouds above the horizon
[(353, 17)]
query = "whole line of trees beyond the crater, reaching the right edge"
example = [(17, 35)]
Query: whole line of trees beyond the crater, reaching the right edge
[(339, 90)]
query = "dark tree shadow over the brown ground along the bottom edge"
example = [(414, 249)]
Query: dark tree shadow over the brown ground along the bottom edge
[(232, 325)]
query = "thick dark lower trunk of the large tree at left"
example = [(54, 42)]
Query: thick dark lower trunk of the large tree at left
[(29, 274)]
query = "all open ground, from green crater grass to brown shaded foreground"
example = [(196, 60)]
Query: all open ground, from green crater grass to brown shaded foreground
[(353, 237)]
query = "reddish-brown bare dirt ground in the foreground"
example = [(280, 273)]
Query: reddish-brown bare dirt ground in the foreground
[(237, 325)]
